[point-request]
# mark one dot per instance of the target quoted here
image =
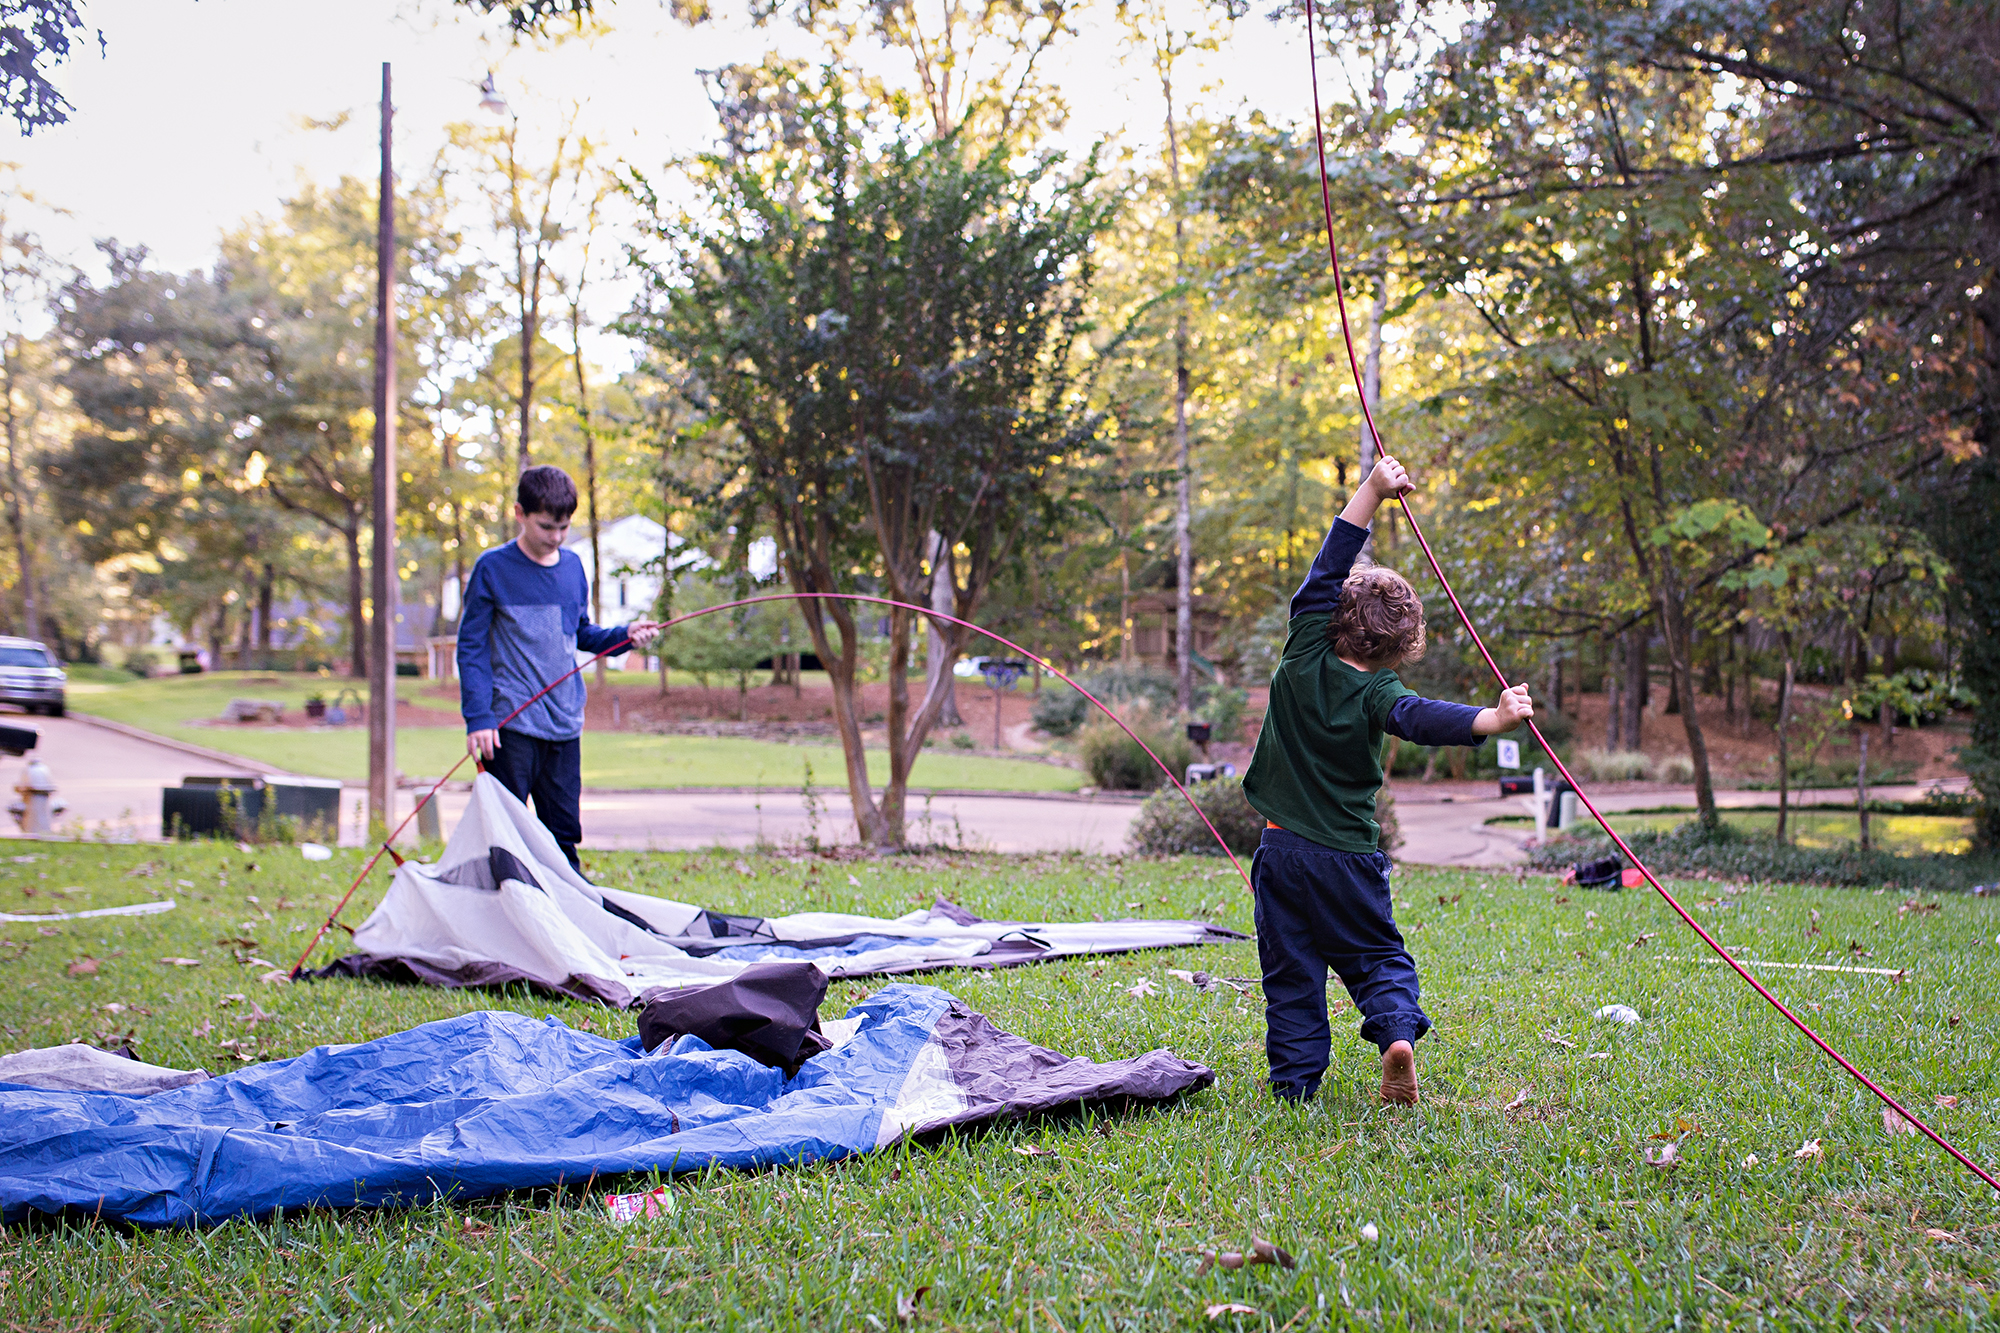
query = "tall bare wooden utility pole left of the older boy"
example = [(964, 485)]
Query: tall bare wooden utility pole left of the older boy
[(383, 627)]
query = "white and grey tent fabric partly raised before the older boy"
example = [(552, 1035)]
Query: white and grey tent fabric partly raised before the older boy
[(505, 906)]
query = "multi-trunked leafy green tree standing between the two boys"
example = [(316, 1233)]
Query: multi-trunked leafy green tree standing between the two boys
[(883, 339)]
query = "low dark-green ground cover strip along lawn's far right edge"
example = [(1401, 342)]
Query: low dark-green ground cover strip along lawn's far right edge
[(1735, 854)]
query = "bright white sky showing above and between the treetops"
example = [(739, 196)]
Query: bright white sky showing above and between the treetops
[(195, 115)]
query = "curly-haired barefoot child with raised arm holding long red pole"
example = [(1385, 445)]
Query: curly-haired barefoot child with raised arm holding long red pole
[(1321, 880)]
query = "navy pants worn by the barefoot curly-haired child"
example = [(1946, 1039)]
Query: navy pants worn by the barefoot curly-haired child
[(1327, 910)]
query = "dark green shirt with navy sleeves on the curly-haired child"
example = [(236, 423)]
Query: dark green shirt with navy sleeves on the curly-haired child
[(1319, 760)]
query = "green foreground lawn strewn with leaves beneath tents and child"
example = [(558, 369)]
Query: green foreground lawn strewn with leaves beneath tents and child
[(1545, 1216)]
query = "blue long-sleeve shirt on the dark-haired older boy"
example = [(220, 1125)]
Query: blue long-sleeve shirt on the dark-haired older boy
[(521, 629)]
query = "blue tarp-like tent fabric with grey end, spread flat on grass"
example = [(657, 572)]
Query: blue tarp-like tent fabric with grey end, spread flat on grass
[(493, 1102)]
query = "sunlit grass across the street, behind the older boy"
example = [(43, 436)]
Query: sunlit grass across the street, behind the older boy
[(611, 760)]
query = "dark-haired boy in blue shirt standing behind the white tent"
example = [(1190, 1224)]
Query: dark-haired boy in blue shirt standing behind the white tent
[(527, 613)]
